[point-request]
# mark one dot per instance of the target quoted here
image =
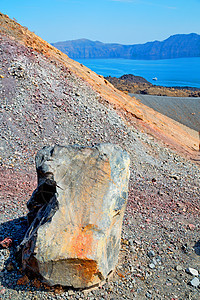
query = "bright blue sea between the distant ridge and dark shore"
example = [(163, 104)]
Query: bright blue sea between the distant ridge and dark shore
[(169, 72)]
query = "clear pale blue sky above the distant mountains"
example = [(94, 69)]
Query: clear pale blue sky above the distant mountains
[(120, 21)]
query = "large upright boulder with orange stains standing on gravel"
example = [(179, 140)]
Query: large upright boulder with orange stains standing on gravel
[(75, 214)]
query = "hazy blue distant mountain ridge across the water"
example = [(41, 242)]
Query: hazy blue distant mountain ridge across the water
[(176, 46)]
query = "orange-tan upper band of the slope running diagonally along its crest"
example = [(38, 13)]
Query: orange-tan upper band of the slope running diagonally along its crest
[(131, 109)]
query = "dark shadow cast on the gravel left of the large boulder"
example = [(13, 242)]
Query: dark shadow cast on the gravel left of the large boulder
[(11, 270)]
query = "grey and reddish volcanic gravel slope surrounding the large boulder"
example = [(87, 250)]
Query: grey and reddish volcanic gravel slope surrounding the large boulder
[(44, 103)]
